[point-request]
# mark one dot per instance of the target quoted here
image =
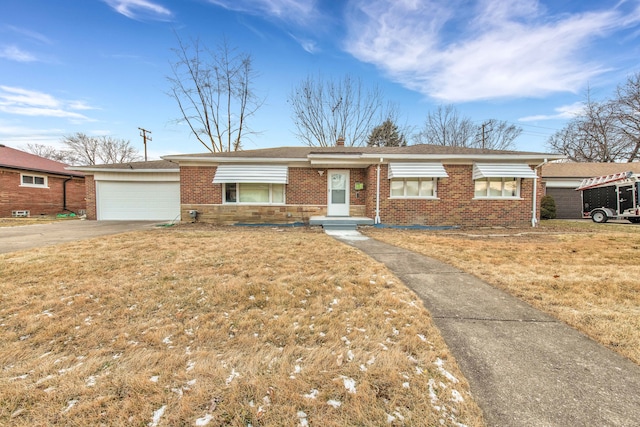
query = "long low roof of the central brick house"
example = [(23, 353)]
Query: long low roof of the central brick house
[(305, 152)]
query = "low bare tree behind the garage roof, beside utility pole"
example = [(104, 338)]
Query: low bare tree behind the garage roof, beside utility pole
[(93, 150)]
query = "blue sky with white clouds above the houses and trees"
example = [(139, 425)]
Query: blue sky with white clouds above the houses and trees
[(100, 66)]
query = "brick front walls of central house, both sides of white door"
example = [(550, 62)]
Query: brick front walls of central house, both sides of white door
[(306, 196)]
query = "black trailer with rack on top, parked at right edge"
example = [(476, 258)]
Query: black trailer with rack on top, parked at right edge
[(613, 196)]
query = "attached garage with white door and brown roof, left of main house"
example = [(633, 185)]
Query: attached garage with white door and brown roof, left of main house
[(148, 191)]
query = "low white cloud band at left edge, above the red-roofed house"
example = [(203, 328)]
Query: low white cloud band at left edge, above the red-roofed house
[(24, 102)]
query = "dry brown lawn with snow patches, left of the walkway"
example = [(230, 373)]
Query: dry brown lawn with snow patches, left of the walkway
[(219, 326)]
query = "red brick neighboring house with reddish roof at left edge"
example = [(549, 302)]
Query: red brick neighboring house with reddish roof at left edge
[(32, 185)]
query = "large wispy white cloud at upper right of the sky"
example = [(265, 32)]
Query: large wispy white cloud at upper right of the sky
[(455, 51)]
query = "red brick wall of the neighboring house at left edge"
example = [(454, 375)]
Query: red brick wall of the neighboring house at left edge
[(39, 201)]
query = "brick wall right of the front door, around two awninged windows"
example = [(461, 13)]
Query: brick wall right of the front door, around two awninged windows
[(455, 204)]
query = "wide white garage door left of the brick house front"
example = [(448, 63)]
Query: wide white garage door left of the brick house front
[(127, 200)]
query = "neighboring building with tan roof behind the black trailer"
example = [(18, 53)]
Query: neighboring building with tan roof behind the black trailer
[(561, 180)]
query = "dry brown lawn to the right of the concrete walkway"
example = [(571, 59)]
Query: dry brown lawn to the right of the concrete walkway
[(585, 274)]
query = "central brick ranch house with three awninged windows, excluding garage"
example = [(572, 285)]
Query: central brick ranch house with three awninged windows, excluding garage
[(414, 185)]
